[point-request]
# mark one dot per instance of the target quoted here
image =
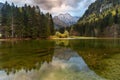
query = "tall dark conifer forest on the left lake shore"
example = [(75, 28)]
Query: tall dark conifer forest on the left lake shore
[(25, 22)]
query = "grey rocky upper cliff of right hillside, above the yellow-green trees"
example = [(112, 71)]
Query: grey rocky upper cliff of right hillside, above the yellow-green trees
[(100, 5)]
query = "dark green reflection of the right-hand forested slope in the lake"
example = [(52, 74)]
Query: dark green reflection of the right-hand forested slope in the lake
[(98, 54)]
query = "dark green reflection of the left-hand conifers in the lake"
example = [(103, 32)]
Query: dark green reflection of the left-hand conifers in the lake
[(24, 55)]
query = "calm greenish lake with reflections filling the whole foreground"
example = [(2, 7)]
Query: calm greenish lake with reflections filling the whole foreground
[(60, 60)]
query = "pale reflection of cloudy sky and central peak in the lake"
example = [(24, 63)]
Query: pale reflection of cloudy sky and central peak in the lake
[(64, 66)]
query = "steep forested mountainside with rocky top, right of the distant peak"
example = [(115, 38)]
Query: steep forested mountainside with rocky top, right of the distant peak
[(101, 19)]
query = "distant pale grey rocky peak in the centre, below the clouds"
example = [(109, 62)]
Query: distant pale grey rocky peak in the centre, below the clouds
[(64, 20)]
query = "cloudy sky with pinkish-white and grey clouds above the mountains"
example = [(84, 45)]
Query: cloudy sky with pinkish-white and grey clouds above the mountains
[(55, 7)]
